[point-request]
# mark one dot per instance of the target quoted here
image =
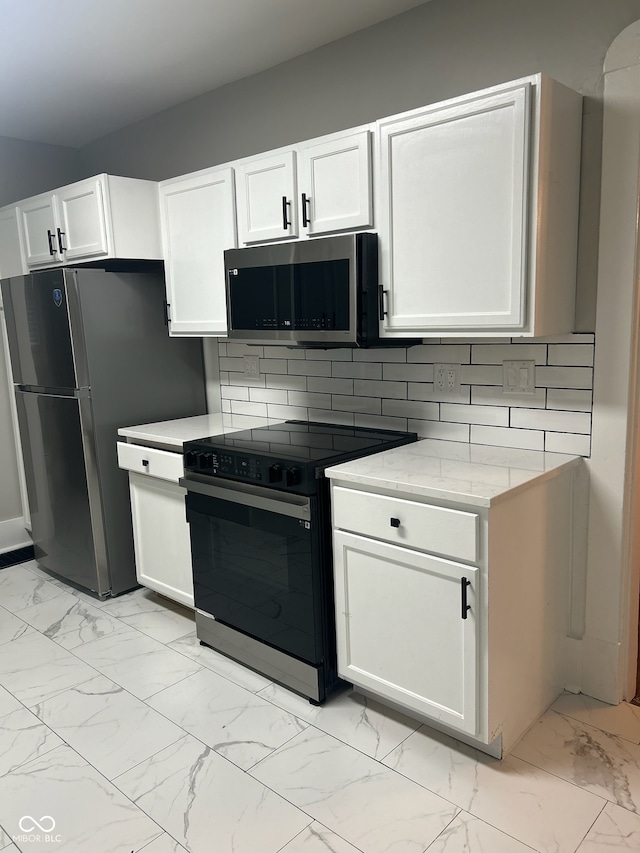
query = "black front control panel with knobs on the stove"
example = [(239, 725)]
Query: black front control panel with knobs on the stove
[(283, 474)]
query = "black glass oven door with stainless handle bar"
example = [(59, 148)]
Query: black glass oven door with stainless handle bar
[(257, 563)]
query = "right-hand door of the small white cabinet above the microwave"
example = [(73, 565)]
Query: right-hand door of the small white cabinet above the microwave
[(335, 184)]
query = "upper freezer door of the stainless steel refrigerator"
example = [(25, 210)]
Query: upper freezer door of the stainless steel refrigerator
[(39, 331)]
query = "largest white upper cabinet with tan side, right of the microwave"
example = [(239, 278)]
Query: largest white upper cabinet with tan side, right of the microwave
[(478, 202)]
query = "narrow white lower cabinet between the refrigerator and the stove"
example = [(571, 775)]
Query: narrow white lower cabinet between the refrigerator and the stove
[(160, 530)]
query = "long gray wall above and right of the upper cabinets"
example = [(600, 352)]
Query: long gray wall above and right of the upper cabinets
[(436, 51)]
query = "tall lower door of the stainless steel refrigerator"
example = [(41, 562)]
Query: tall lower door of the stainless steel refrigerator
[(62, 486)]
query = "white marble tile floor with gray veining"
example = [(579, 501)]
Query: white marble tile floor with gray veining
[(119, 733)]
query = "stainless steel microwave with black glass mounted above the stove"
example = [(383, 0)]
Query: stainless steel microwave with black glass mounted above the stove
[(318, 292)]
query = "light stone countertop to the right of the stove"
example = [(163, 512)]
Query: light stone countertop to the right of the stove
[(475, 474)]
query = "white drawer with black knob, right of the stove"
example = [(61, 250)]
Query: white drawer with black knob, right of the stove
[(449, 532)]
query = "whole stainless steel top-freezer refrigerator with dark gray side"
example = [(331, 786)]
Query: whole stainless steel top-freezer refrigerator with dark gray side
[(90, 352)]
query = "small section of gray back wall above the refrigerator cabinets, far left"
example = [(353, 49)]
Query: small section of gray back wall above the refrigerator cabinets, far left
[(29, 168)]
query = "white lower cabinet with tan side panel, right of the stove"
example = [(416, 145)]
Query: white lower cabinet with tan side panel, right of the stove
[(457, 613)]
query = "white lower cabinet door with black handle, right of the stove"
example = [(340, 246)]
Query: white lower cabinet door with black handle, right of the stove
[(400, 629)]
